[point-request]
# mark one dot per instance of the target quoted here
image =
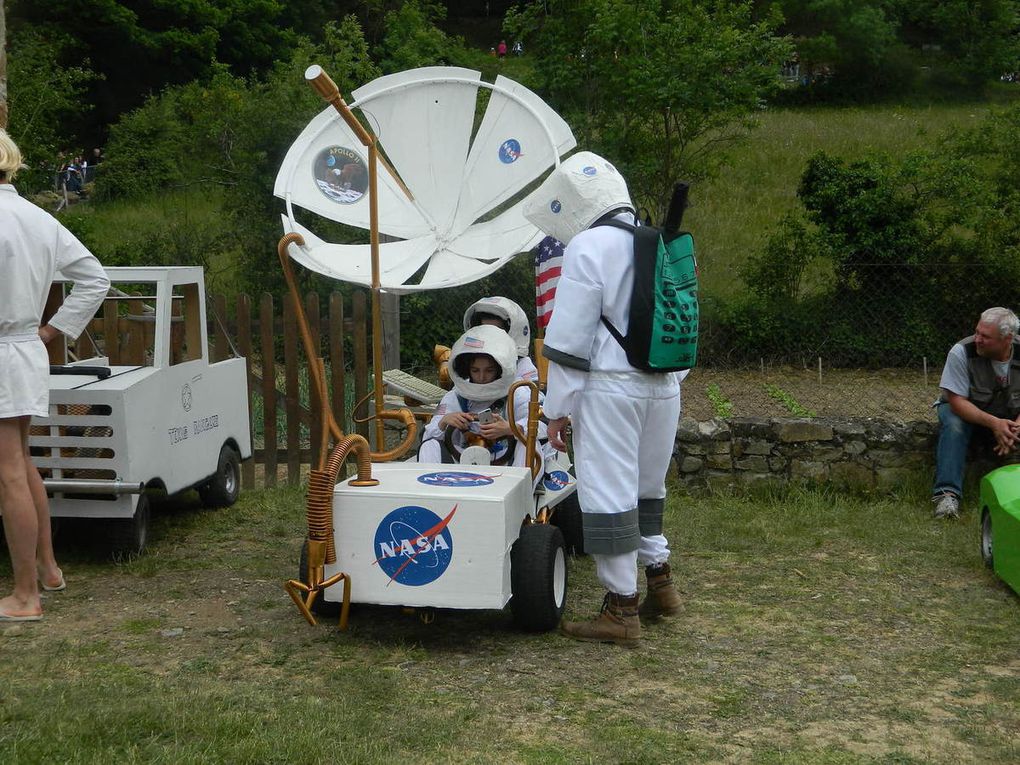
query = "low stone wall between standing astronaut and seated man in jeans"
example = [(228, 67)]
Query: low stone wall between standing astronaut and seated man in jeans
[(861, 455)]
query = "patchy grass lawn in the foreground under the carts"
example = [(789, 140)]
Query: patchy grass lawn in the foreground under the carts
[(819, 629)]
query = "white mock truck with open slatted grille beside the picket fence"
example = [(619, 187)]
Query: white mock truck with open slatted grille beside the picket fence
[(142, 407)]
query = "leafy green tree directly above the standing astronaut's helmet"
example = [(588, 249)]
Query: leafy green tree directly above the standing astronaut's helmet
[(659, 86)]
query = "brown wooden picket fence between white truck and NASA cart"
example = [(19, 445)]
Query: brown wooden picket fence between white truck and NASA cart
[(287, 432)]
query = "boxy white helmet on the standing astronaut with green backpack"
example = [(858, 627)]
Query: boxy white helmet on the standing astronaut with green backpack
[(577, 194)]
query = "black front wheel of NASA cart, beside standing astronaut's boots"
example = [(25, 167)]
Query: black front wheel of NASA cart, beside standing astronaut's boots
[(538, 578)]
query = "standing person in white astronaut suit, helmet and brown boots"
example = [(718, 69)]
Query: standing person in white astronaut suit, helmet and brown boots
[(625, 421)]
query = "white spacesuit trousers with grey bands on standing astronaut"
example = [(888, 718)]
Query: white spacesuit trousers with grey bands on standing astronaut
[(625, 428)]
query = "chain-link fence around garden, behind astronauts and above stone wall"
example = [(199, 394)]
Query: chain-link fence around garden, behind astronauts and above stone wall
[(875, 348)]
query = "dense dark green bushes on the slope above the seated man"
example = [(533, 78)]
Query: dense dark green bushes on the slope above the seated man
[(908, 242)]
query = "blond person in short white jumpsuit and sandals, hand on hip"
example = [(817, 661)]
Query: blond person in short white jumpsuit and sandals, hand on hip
[(33, 248)]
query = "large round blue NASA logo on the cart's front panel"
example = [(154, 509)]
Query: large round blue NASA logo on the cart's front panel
[(414, 546)]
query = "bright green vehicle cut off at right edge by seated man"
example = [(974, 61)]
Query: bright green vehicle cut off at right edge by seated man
[(1001, 524)]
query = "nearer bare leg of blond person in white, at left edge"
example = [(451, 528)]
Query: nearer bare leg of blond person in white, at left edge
[(21, 522)]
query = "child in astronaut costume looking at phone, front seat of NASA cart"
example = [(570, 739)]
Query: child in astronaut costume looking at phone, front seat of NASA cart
[(483, 366)]
